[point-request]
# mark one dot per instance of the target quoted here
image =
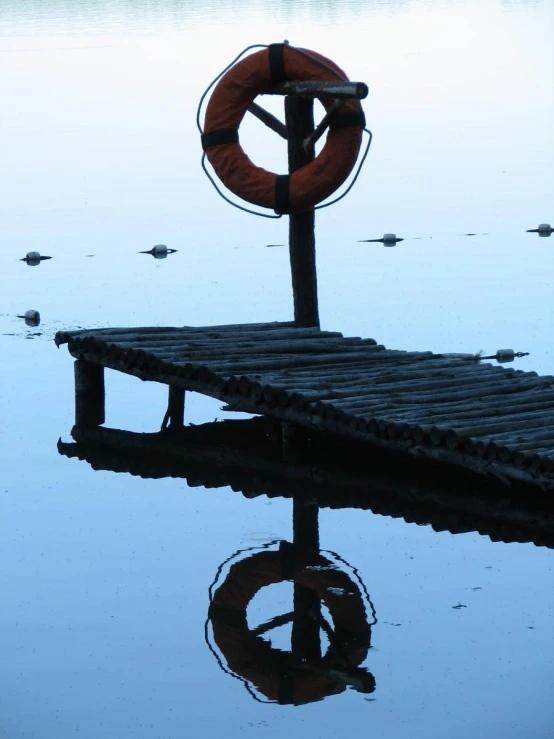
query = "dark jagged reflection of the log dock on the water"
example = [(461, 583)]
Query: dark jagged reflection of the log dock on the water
[(240, 454)]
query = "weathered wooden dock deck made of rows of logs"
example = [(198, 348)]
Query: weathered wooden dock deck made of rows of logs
[(450, 408)]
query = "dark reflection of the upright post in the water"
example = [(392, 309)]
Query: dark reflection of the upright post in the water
[(306, 643)]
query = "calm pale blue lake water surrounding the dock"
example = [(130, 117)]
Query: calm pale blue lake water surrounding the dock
[(105, 577)]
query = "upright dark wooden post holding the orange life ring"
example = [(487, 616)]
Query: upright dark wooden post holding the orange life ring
[(299, 117)]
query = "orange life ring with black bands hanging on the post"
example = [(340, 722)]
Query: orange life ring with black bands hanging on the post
[(230, 100)]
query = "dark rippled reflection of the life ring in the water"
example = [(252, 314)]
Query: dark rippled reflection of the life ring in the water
[(277, 674)]
